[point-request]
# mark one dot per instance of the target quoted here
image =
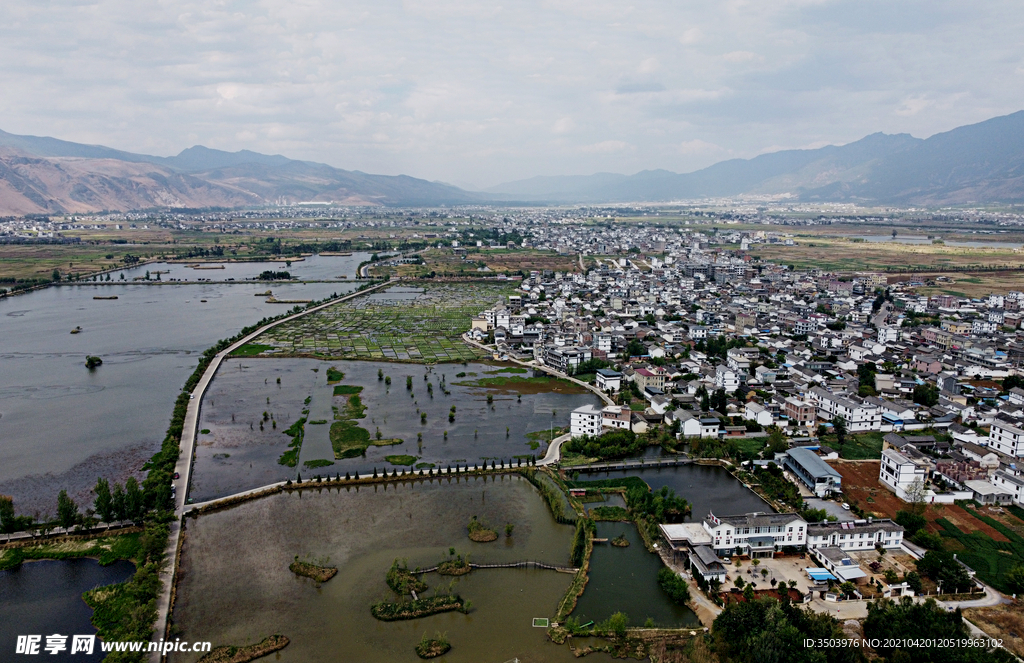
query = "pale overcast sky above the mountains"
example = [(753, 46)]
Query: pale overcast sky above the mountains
[(477, 93)]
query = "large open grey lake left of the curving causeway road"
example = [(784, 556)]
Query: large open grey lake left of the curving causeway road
[(63, 426)]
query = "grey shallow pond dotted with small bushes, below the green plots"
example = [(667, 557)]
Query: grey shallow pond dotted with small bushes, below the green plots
[(236, 455)]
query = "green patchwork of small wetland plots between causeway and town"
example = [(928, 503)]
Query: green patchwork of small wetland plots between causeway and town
[(407, 324)]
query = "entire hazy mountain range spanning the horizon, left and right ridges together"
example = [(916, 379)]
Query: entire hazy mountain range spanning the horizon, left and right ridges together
[(974, 164)]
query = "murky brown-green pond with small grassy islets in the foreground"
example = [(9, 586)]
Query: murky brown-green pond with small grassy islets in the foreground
[(237, 589)]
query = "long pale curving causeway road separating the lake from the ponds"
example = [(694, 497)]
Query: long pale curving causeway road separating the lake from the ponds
[(187, 457)]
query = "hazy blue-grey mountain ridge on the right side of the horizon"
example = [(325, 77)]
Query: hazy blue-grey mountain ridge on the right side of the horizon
[(978, 163)]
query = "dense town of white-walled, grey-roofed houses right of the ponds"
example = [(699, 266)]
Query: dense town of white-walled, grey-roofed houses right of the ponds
[(692, 314)]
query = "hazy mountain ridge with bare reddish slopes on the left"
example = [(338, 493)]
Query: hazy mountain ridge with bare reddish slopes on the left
[(48, 176)]
